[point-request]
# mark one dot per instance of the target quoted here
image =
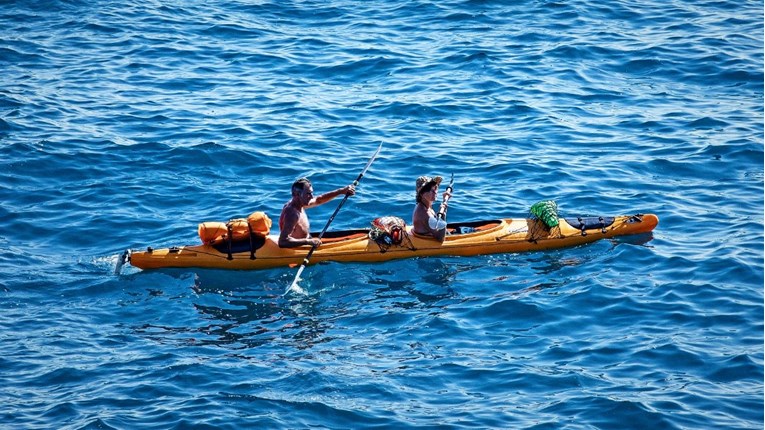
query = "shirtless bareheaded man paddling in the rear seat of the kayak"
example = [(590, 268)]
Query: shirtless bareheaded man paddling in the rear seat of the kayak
[(293, 222)]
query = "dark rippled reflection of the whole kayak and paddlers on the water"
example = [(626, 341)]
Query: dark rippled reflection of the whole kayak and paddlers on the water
[(248, 309)]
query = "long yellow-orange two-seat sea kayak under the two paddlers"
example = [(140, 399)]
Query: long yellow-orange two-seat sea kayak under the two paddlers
[(261, 251)]
